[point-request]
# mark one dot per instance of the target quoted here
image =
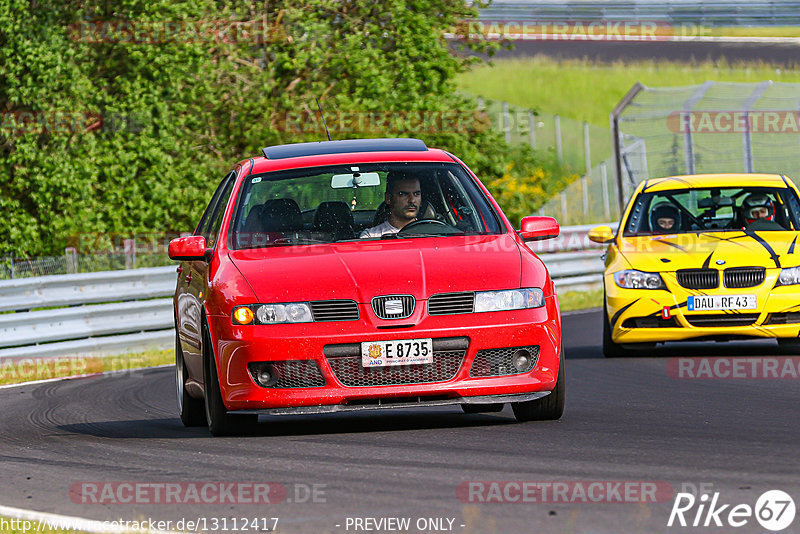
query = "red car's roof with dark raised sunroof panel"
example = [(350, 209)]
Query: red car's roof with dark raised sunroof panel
[(344, 152)]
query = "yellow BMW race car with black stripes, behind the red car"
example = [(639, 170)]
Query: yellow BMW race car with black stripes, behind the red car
[(703, 257)]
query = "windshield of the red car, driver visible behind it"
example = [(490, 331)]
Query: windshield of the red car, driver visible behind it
[(359, 202)]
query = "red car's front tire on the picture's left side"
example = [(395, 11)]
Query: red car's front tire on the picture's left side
[(220, 422)]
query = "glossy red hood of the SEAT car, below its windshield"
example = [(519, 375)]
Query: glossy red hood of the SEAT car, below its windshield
[(363, 270)]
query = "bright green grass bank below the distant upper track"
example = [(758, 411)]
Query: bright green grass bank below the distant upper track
[(584, 90)]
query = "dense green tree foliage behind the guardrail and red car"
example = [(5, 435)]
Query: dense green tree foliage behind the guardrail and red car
[(120, 117)]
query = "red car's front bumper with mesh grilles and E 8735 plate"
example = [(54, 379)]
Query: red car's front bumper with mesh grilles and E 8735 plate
[(237, 346)]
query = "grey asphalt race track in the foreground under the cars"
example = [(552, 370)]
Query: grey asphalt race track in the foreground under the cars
[(626, 420)]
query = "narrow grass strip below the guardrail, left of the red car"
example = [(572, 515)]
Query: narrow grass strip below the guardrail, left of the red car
[(15, 372)]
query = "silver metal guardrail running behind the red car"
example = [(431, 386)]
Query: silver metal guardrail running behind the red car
[(116, 312)]
